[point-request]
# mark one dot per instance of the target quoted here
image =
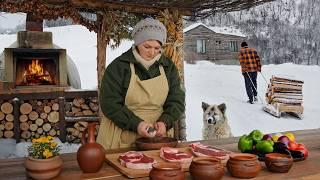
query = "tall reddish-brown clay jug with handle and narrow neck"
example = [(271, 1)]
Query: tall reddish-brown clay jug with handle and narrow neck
[(90, 155)]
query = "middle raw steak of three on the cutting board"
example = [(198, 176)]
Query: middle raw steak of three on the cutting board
[(173, 155)]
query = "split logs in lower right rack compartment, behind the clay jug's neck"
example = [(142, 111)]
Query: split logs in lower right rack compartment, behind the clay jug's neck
[(75, 131)]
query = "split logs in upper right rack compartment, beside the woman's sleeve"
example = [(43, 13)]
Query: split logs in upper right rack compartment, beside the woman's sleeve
[(82, 107)]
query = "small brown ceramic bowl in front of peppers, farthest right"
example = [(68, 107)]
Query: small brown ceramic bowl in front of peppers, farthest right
[(277, 162)]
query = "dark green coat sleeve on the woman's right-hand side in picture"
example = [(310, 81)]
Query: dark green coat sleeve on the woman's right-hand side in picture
[(174, 105)]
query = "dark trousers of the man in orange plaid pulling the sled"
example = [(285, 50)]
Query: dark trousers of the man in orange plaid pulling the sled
[(251, 90)]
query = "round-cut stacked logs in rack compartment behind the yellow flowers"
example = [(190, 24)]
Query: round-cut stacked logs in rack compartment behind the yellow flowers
[(39, 117)]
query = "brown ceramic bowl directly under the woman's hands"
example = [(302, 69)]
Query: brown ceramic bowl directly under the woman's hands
[(155, 143)]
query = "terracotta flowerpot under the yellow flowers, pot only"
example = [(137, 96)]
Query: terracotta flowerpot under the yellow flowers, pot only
[(43, 168)]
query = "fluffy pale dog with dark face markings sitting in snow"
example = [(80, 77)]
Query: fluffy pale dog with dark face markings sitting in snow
[(215, 122)]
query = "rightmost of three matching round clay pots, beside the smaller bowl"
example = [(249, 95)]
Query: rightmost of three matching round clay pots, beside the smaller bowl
[(244, 165)]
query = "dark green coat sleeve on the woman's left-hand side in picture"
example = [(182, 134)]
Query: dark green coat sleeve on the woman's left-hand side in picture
[(112, 98)]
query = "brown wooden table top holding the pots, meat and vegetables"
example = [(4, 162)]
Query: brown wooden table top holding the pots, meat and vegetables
[(307, 169)]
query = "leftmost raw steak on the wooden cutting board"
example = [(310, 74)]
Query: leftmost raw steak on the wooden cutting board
[(136, 160)]
